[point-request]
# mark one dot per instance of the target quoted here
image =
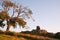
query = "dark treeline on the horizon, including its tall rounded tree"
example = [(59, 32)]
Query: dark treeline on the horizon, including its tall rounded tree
[(40, 32)]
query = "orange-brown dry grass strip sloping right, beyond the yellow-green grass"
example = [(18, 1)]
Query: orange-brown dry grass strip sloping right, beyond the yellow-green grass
[(34, 37)]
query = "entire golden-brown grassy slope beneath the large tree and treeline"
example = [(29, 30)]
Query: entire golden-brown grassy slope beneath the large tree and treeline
[(22, 36)]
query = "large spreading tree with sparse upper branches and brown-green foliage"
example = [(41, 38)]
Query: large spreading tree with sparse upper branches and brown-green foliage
[(22, 14)]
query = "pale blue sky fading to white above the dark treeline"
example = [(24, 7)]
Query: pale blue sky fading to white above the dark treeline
[(45, 12)]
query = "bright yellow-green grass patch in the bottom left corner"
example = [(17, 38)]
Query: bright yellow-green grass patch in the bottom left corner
[(8, 37)]
